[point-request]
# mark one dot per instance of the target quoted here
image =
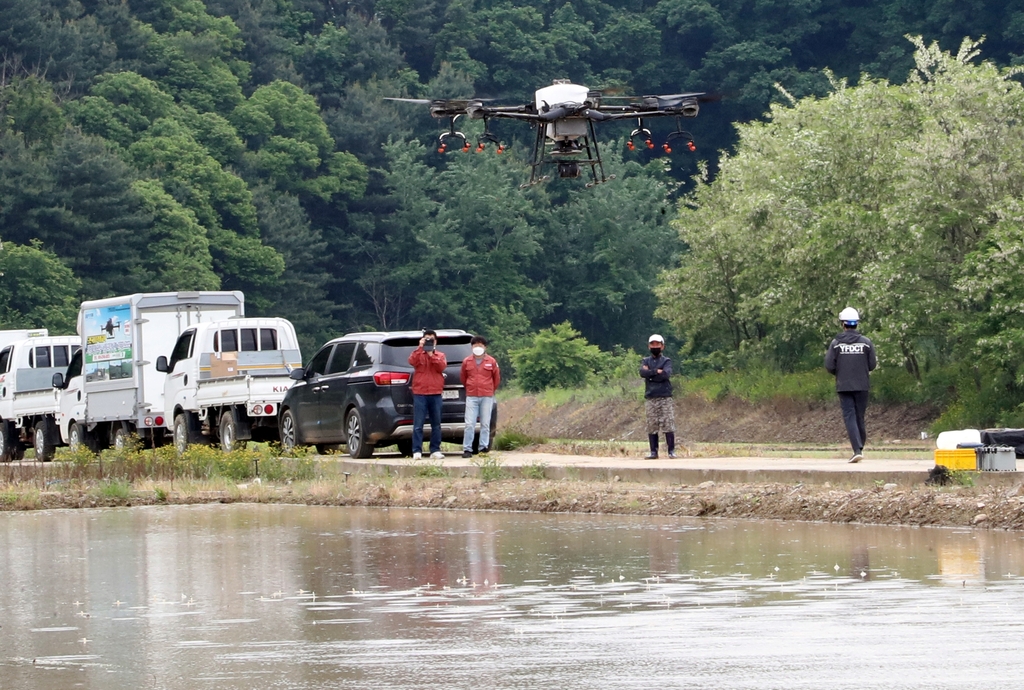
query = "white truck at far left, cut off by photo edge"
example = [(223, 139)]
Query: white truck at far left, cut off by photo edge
[(28, 403)]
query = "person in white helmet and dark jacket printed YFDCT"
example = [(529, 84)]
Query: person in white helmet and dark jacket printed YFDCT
[(850, 359)]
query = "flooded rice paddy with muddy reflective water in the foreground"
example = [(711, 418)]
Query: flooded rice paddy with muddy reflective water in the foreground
[(248, 596)]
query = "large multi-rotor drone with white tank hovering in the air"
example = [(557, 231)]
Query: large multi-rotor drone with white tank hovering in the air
[(564, 116)]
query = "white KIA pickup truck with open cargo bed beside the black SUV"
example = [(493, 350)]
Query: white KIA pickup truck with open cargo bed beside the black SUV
[(226, 381)]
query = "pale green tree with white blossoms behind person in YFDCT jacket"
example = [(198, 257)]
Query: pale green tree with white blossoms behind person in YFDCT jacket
[(905, 201)]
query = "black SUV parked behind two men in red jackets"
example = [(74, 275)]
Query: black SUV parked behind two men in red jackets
[(356, 391)]
